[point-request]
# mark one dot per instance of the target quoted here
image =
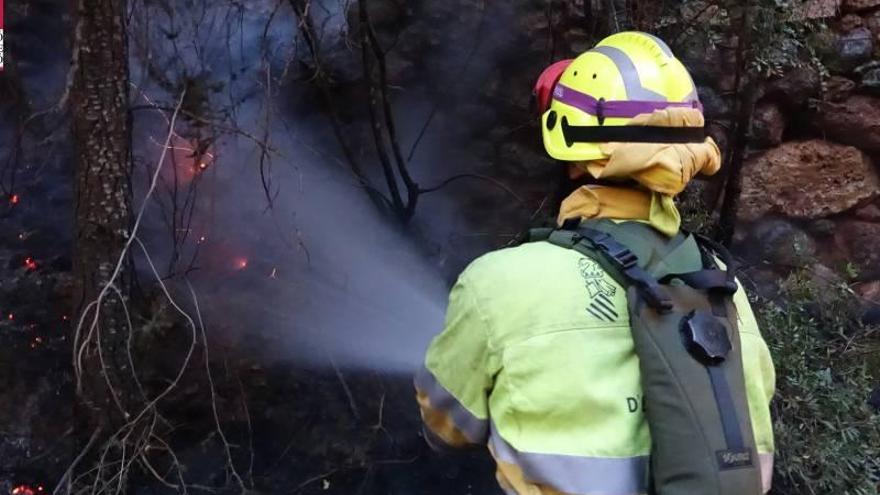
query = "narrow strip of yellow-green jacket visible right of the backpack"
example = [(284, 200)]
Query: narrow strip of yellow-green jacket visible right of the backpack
[(760, 377)]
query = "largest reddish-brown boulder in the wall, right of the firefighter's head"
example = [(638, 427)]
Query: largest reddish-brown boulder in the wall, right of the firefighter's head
[(807, 179)]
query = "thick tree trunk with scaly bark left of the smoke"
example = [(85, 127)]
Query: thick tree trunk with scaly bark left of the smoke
[(102, 137)]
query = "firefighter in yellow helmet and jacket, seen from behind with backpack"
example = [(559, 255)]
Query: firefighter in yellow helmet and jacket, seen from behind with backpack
[(614, 354)]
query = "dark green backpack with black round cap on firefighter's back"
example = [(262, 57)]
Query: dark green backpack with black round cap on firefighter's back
[(684, 327)]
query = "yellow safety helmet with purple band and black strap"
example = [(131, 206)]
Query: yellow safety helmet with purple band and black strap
[(591, 100)]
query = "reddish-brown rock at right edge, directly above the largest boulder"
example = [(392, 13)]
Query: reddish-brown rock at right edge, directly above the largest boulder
[(855, 121)]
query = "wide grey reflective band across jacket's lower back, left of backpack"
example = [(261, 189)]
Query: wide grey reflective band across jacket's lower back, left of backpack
[(576, 474)]
